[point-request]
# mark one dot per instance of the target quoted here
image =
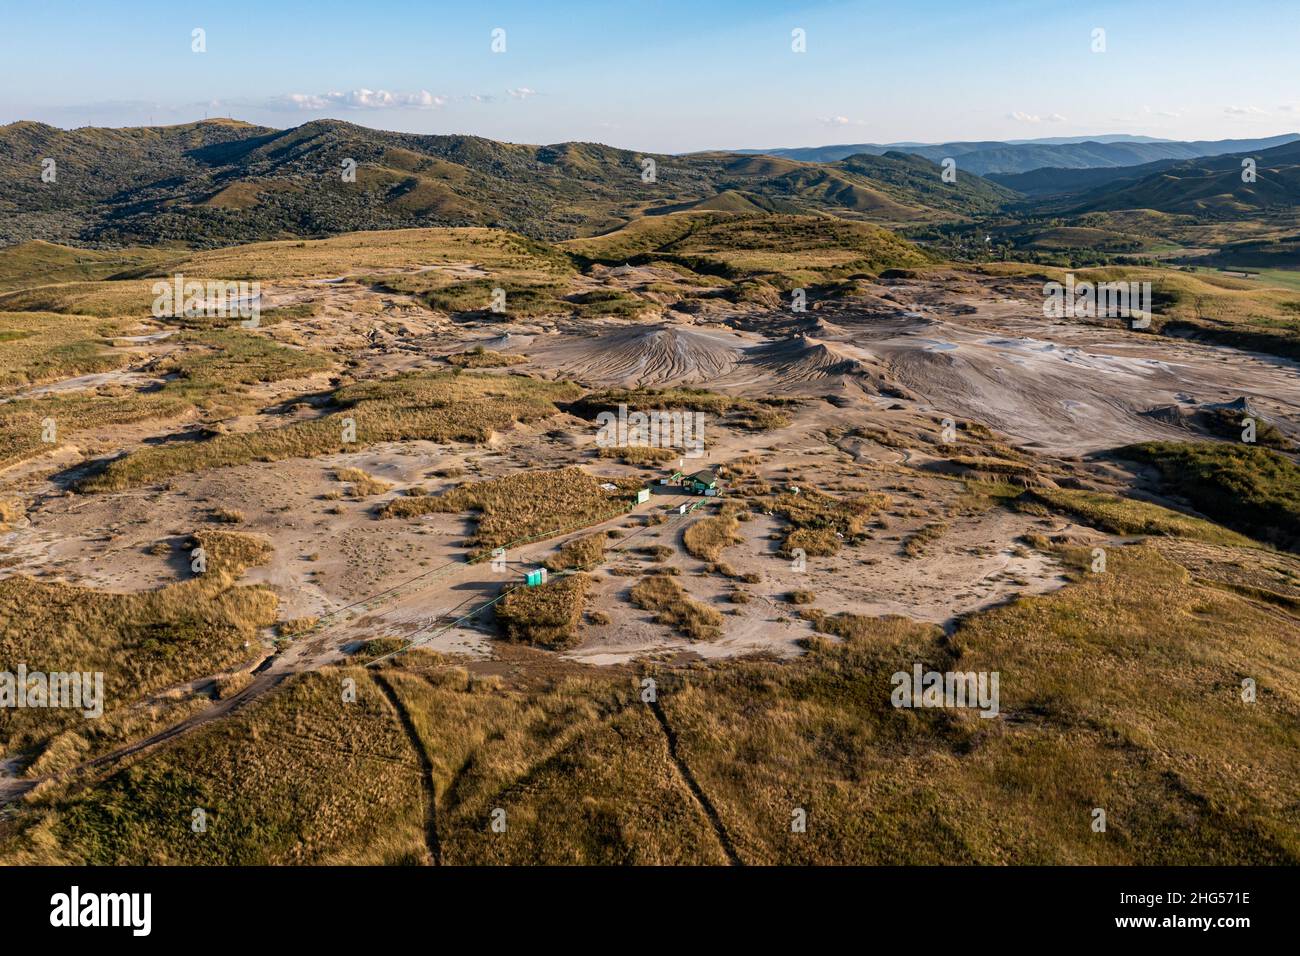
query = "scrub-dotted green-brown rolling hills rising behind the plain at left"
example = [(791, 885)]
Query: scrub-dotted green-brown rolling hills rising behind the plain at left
[(224, 181)]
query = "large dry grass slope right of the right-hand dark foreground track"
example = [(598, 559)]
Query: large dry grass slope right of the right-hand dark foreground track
[(1128, 699)]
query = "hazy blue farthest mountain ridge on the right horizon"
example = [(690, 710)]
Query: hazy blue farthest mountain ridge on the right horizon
[(994, 157)]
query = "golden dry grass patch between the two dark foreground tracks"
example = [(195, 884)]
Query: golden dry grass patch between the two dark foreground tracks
[(580, 767)]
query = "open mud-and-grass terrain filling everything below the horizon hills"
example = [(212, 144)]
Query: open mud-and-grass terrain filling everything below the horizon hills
[(916, 465)]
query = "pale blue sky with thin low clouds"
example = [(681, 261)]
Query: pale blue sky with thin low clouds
[(668, 76)]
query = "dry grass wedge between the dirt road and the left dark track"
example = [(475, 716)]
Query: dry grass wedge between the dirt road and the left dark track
[(298, 778)]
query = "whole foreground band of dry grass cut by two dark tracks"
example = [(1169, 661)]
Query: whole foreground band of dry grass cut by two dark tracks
[(1128, 699)]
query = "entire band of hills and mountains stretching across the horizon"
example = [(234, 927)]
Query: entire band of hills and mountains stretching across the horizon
[(222, 181)]
